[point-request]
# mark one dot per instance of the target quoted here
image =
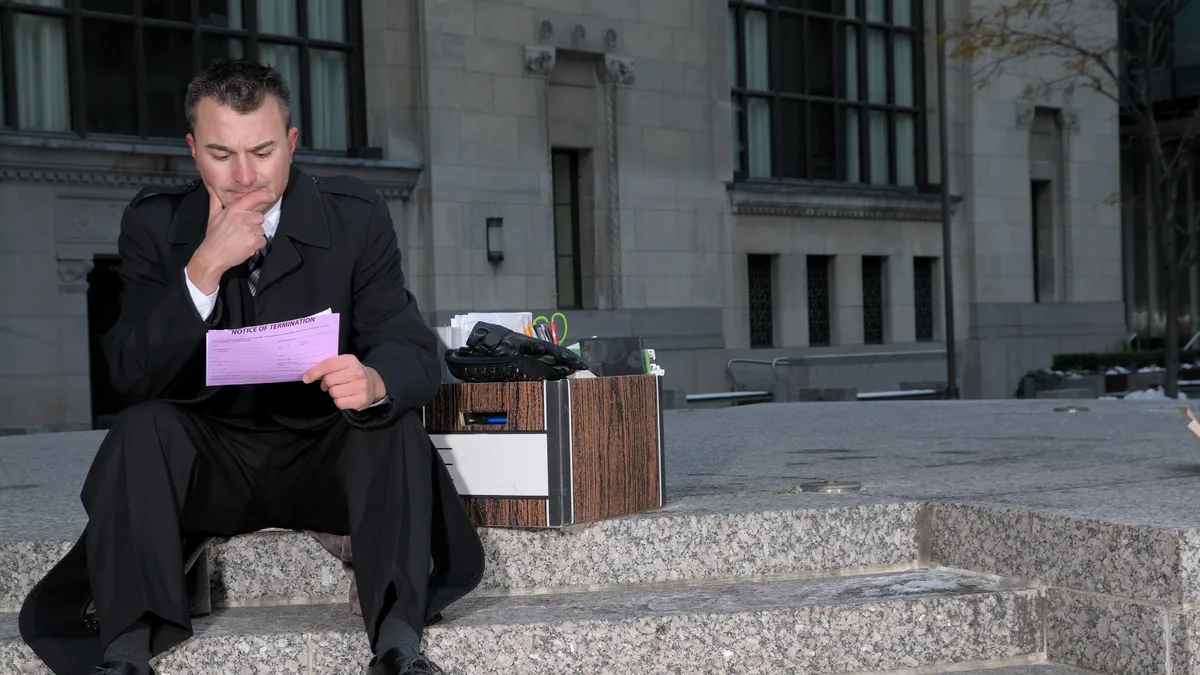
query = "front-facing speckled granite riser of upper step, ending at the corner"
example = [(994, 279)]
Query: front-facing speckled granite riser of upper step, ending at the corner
[(687, 541)]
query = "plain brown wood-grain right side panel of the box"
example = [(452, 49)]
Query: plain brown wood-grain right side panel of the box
[(616, 446)]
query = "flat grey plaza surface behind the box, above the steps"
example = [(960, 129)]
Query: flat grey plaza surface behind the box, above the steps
[(1130, 462)]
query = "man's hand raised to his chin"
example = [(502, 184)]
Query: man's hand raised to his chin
[(233, 236)]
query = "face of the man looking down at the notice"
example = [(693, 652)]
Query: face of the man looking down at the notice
[(237, 154)]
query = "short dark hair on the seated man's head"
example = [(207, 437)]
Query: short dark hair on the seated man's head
[(239, 85)]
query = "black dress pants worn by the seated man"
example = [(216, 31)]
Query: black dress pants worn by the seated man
[(166, 471)]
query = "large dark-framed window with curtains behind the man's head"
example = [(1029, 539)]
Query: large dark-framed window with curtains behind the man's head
[(122, 67)]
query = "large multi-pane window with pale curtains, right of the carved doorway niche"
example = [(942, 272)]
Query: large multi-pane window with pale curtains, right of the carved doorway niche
[(827, 91)]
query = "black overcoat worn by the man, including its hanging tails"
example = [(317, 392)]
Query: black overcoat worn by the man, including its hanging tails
[(335, 249)]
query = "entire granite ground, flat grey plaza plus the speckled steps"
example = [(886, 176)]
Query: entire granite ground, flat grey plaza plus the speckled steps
[(1071, 537)]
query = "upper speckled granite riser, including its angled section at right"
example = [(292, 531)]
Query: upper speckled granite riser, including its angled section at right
[(689, 542)]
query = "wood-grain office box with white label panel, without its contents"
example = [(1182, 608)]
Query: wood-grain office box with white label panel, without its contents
[(550, 455)]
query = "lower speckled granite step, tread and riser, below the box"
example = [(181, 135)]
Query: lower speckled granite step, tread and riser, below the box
[(865, 624)]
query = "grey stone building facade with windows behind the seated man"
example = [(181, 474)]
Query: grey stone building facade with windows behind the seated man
[(728, 180)]
